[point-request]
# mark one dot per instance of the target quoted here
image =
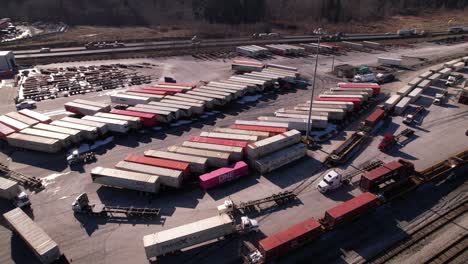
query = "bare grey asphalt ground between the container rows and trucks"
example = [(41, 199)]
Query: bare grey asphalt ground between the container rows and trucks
[(94, 240)]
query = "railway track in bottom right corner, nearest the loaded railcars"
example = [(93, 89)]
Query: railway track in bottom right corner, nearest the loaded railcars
[(422, 232)]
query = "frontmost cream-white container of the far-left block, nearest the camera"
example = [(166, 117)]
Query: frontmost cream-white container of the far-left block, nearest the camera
[(42, 144)]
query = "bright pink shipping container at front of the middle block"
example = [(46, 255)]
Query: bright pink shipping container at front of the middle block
[(223, 175)]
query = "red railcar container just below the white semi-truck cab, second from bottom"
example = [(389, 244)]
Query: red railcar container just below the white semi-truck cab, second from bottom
[(350, 209)]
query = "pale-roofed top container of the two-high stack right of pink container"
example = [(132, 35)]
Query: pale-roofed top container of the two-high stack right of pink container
[(264, 147)]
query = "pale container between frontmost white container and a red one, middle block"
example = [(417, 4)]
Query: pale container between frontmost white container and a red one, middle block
[(167, 177)]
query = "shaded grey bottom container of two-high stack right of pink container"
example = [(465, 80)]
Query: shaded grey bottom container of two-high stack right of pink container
[(280, 158)]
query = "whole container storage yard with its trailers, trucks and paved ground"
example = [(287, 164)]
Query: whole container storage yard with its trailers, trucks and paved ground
[(183, 160)]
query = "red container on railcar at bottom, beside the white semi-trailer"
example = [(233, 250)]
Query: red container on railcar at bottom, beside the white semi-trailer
[(291, 238)]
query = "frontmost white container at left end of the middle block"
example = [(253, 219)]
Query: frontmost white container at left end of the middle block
[(125, 179)]
